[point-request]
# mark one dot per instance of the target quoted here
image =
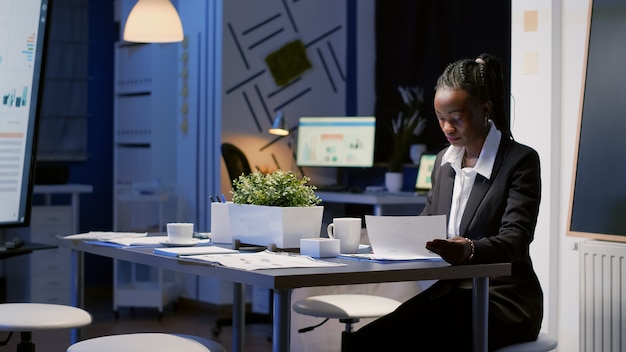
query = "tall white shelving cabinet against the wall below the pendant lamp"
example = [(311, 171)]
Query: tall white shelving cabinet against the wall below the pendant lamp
[(145, 125)]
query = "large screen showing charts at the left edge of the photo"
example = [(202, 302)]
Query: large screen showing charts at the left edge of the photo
[(22, 32)]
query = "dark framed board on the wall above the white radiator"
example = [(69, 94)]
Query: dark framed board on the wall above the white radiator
[(598, 195)]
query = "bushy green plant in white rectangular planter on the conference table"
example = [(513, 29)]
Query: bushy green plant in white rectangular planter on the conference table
[(274, 209)]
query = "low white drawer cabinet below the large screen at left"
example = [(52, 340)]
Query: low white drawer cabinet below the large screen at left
[(44, 276)]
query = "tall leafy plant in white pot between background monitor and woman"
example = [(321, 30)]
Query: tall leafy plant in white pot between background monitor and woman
[(405, 129)]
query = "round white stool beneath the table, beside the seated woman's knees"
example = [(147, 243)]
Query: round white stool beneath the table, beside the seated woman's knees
[(348, 308)]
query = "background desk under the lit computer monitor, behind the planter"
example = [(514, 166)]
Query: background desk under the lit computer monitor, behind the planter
[(377, 199)]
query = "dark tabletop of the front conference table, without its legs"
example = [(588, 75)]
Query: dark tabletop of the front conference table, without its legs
[(355, 272)]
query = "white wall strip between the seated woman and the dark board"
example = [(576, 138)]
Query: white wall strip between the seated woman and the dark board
[(546, 94)]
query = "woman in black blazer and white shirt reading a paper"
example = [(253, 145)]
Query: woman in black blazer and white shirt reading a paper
[(489, 188)]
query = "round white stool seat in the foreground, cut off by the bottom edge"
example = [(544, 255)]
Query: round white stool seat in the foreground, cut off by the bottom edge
[(153, 342)]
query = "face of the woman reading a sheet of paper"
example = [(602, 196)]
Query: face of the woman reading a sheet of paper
[(461, 118)]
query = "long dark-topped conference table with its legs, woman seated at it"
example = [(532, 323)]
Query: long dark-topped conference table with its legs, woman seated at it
[(283, 281)]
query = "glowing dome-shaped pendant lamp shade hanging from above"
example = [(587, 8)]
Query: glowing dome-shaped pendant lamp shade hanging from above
[(153, 21)]
